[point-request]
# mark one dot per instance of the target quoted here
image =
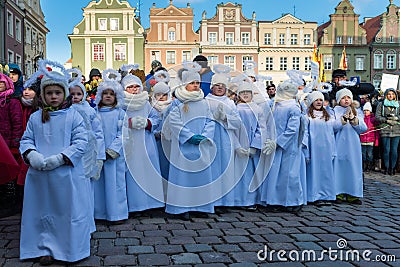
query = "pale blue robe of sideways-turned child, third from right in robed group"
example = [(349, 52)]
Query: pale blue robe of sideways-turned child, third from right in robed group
[(283, 185)]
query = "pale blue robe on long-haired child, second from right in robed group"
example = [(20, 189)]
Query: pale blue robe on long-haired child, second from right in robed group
[(322, 151)]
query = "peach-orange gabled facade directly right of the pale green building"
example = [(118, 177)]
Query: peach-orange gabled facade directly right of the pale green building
[(170, 38)]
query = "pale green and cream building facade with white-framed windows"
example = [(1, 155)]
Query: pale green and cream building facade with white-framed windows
[(107, 37)]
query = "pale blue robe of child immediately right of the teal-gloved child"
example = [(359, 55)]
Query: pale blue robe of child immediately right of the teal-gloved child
[(223, 166)]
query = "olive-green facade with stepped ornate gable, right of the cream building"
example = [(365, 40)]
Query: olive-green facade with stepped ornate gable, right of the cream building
[(343, 30)]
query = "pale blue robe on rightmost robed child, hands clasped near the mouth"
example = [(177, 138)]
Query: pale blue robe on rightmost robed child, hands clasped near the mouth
[(348, 162)]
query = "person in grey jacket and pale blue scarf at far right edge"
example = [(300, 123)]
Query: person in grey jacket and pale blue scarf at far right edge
[(388, 114)]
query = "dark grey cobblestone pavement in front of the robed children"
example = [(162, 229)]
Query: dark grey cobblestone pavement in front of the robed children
[(235, 238)]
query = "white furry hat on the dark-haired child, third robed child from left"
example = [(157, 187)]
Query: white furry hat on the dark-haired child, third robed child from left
[(111, 83)]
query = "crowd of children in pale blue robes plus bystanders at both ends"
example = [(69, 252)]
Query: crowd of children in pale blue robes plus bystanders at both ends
[(175, 148)]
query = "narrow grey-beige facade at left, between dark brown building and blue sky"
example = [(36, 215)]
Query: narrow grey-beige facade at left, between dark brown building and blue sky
[(35, 32)]
